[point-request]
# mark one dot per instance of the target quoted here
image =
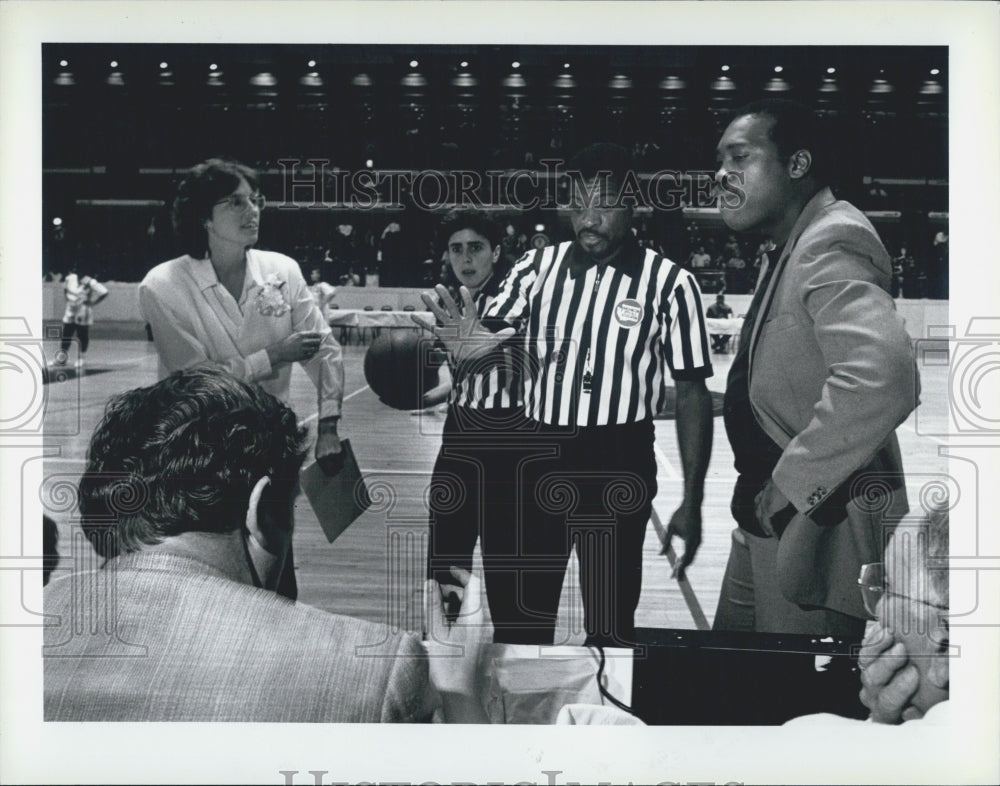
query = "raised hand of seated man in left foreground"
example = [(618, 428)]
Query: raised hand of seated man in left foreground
[(455, 648)]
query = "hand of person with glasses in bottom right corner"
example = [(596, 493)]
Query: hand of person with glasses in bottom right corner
[(888, 679)]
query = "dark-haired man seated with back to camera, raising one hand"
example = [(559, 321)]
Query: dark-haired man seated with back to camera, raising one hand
[(188, 493)]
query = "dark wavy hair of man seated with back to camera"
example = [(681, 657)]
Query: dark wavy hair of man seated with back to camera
[(183, 456)]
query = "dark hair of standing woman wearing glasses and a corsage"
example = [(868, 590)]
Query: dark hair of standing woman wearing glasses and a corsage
[(197, 194)]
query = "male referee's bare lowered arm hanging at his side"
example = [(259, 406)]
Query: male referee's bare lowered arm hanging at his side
[(694, 439)]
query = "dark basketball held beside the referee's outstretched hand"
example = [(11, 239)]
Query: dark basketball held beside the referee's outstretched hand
[(399, 368)]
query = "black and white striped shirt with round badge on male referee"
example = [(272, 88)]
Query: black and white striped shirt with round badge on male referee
[(599, 337)]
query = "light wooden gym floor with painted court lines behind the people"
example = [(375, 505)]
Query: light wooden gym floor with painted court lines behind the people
[(375, 569)]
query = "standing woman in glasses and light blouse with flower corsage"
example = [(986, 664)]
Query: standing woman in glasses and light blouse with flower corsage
[(247, 311)]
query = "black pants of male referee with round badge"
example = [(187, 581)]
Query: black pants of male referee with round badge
[(591, 488)]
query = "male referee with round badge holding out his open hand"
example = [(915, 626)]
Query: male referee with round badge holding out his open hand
[(603, 322)]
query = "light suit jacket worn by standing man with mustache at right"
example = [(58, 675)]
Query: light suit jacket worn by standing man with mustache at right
[(832, 374)]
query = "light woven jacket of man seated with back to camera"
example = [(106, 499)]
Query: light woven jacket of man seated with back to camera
[(161, 637)]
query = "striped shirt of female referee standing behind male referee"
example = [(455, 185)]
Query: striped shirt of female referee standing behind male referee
[(494, 381)]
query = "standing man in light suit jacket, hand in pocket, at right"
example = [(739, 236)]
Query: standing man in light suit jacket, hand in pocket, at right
[(824, 375)]
